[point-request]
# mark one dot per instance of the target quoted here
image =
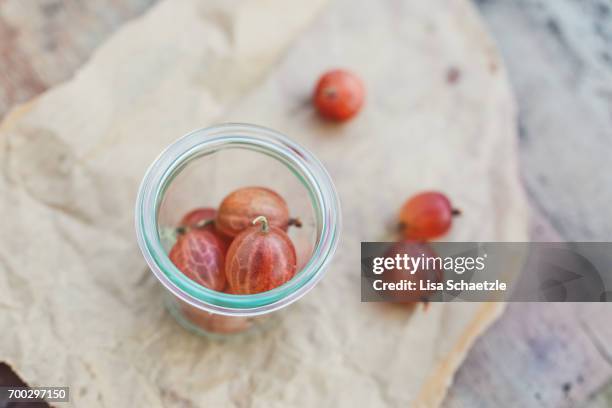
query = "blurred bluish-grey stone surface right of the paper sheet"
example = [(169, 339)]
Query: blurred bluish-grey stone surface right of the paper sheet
[(558, 57)]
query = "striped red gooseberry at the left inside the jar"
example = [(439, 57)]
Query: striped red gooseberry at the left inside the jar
[(199, 254)]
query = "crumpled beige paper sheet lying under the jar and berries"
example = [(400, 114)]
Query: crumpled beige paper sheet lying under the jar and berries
[(78, 305)]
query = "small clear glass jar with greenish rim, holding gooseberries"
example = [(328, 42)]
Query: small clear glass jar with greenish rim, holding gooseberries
[(201, 168)]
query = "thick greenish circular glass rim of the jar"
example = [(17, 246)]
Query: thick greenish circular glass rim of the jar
[(299, 160)]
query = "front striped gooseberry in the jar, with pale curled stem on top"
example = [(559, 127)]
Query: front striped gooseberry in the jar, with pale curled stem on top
[(259, 259)]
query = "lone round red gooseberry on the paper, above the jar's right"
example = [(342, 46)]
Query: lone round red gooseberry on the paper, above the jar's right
[(338, 95)]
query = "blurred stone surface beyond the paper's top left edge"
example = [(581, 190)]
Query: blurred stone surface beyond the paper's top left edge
[(43, 42)]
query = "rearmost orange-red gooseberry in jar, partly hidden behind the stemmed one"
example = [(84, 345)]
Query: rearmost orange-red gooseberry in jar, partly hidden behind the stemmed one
[(241, 207)]
